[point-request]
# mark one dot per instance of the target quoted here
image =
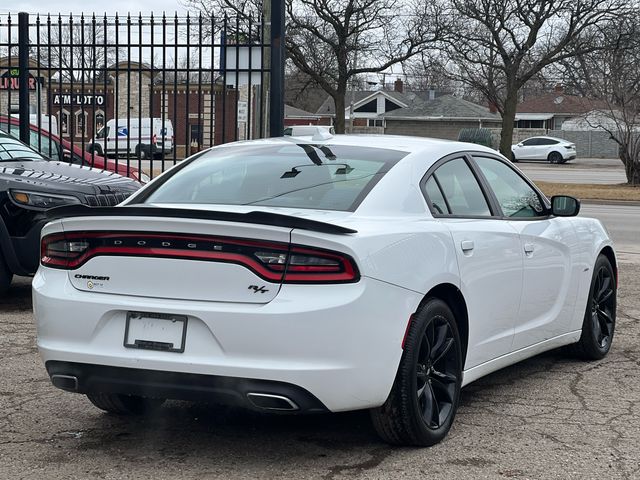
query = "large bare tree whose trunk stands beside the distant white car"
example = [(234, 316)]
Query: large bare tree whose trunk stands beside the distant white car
[(501, 44)]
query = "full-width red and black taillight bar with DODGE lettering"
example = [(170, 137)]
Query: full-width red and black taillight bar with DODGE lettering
[(272, 261)]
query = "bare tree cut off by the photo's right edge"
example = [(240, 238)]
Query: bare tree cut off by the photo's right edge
[(612, 75)]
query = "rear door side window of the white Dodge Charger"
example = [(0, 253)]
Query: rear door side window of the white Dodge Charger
[(459, 190)]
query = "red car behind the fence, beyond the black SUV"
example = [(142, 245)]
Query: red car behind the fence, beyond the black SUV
[(59, 149)]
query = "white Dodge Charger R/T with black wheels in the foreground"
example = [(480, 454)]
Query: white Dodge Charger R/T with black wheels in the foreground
[(358, 272)]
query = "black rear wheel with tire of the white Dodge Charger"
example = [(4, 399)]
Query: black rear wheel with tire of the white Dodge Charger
[(424, 398)]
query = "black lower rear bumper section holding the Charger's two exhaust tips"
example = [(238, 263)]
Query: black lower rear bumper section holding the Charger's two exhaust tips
[(243, 392)]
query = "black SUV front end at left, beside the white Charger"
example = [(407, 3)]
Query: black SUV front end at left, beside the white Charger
[(31, 184)]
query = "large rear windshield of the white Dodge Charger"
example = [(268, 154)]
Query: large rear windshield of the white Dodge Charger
[(326, 177)]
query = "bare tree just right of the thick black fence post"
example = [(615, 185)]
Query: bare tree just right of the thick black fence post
[(335, 41)]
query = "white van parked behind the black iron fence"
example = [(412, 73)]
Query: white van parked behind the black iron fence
[(142, 137)]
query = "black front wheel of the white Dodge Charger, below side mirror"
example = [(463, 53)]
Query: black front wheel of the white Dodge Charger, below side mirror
[(599, 321)]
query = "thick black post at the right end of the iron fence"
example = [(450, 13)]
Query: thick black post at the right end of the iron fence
[(276, 110)]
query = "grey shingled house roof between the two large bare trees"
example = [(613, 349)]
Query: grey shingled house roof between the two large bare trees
[(446, 106)]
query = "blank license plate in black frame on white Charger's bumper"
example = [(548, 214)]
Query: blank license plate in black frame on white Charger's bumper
[(155, 331)]
